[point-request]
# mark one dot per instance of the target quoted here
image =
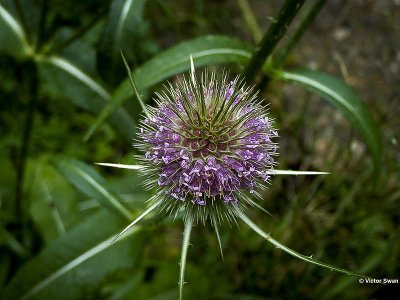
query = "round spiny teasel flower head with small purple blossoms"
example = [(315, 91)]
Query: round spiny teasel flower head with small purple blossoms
[(208, 145)]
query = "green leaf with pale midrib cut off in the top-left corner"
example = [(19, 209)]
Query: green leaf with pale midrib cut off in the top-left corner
[(12, 37)]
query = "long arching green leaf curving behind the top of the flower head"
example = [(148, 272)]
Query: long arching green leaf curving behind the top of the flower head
[(205, 50)]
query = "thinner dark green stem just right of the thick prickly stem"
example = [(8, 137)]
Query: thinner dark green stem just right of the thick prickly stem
[(305, 23)]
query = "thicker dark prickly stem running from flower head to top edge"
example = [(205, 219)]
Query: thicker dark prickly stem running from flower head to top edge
[(271, 38)]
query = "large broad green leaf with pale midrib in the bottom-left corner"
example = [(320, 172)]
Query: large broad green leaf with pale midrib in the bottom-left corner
[(68, 253)]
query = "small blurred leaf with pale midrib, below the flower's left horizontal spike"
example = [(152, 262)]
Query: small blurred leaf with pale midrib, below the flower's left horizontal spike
[(92, 184)]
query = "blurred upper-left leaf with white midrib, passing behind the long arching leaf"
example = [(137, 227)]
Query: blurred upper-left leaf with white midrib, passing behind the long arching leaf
[(65, 79)]
